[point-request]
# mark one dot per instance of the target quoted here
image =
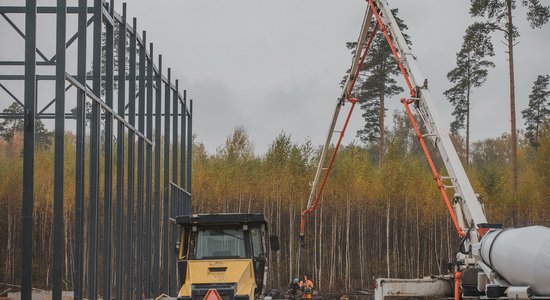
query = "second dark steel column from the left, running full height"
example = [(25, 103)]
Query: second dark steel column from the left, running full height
[(58, 230)]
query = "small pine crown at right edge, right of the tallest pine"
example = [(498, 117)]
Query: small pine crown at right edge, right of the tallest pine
[(538, 112)]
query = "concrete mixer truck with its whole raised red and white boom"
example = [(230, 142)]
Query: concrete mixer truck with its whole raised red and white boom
[(492, 262)]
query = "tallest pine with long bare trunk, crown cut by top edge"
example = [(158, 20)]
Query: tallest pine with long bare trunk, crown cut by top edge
[(499, 15)]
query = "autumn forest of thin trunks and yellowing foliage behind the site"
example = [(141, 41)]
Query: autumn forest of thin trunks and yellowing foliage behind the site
[(375, 219)]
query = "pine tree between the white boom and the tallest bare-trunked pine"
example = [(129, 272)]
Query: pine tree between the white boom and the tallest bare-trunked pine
[(471, 71)]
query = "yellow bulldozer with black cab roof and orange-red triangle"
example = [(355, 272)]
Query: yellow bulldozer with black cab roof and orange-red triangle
[(224, 254)]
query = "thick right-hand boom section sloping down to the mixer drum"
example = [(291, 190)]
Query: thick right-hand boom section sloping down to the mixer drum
[(467, 206)]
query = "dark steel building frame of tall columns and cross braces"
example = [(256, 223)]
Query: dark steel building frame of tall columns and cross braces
[(133, 219)]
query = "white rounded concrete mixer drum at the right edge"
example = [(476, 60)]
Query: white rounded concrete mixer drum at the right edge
[(521, 256)]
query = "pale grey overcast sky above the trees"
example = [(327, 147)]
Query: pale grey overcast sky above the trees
[(273, 66)]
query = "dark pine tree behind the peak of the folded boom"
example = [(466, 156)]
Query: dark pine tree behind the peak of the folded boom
[(376, 82)]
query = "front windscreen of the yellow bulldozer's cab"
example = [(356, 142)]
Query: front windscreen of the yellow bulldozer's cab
[(220, 243)]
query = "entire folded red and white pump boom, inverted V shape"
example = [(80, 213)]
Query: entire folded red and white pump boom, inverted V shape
[(466, 210)]
